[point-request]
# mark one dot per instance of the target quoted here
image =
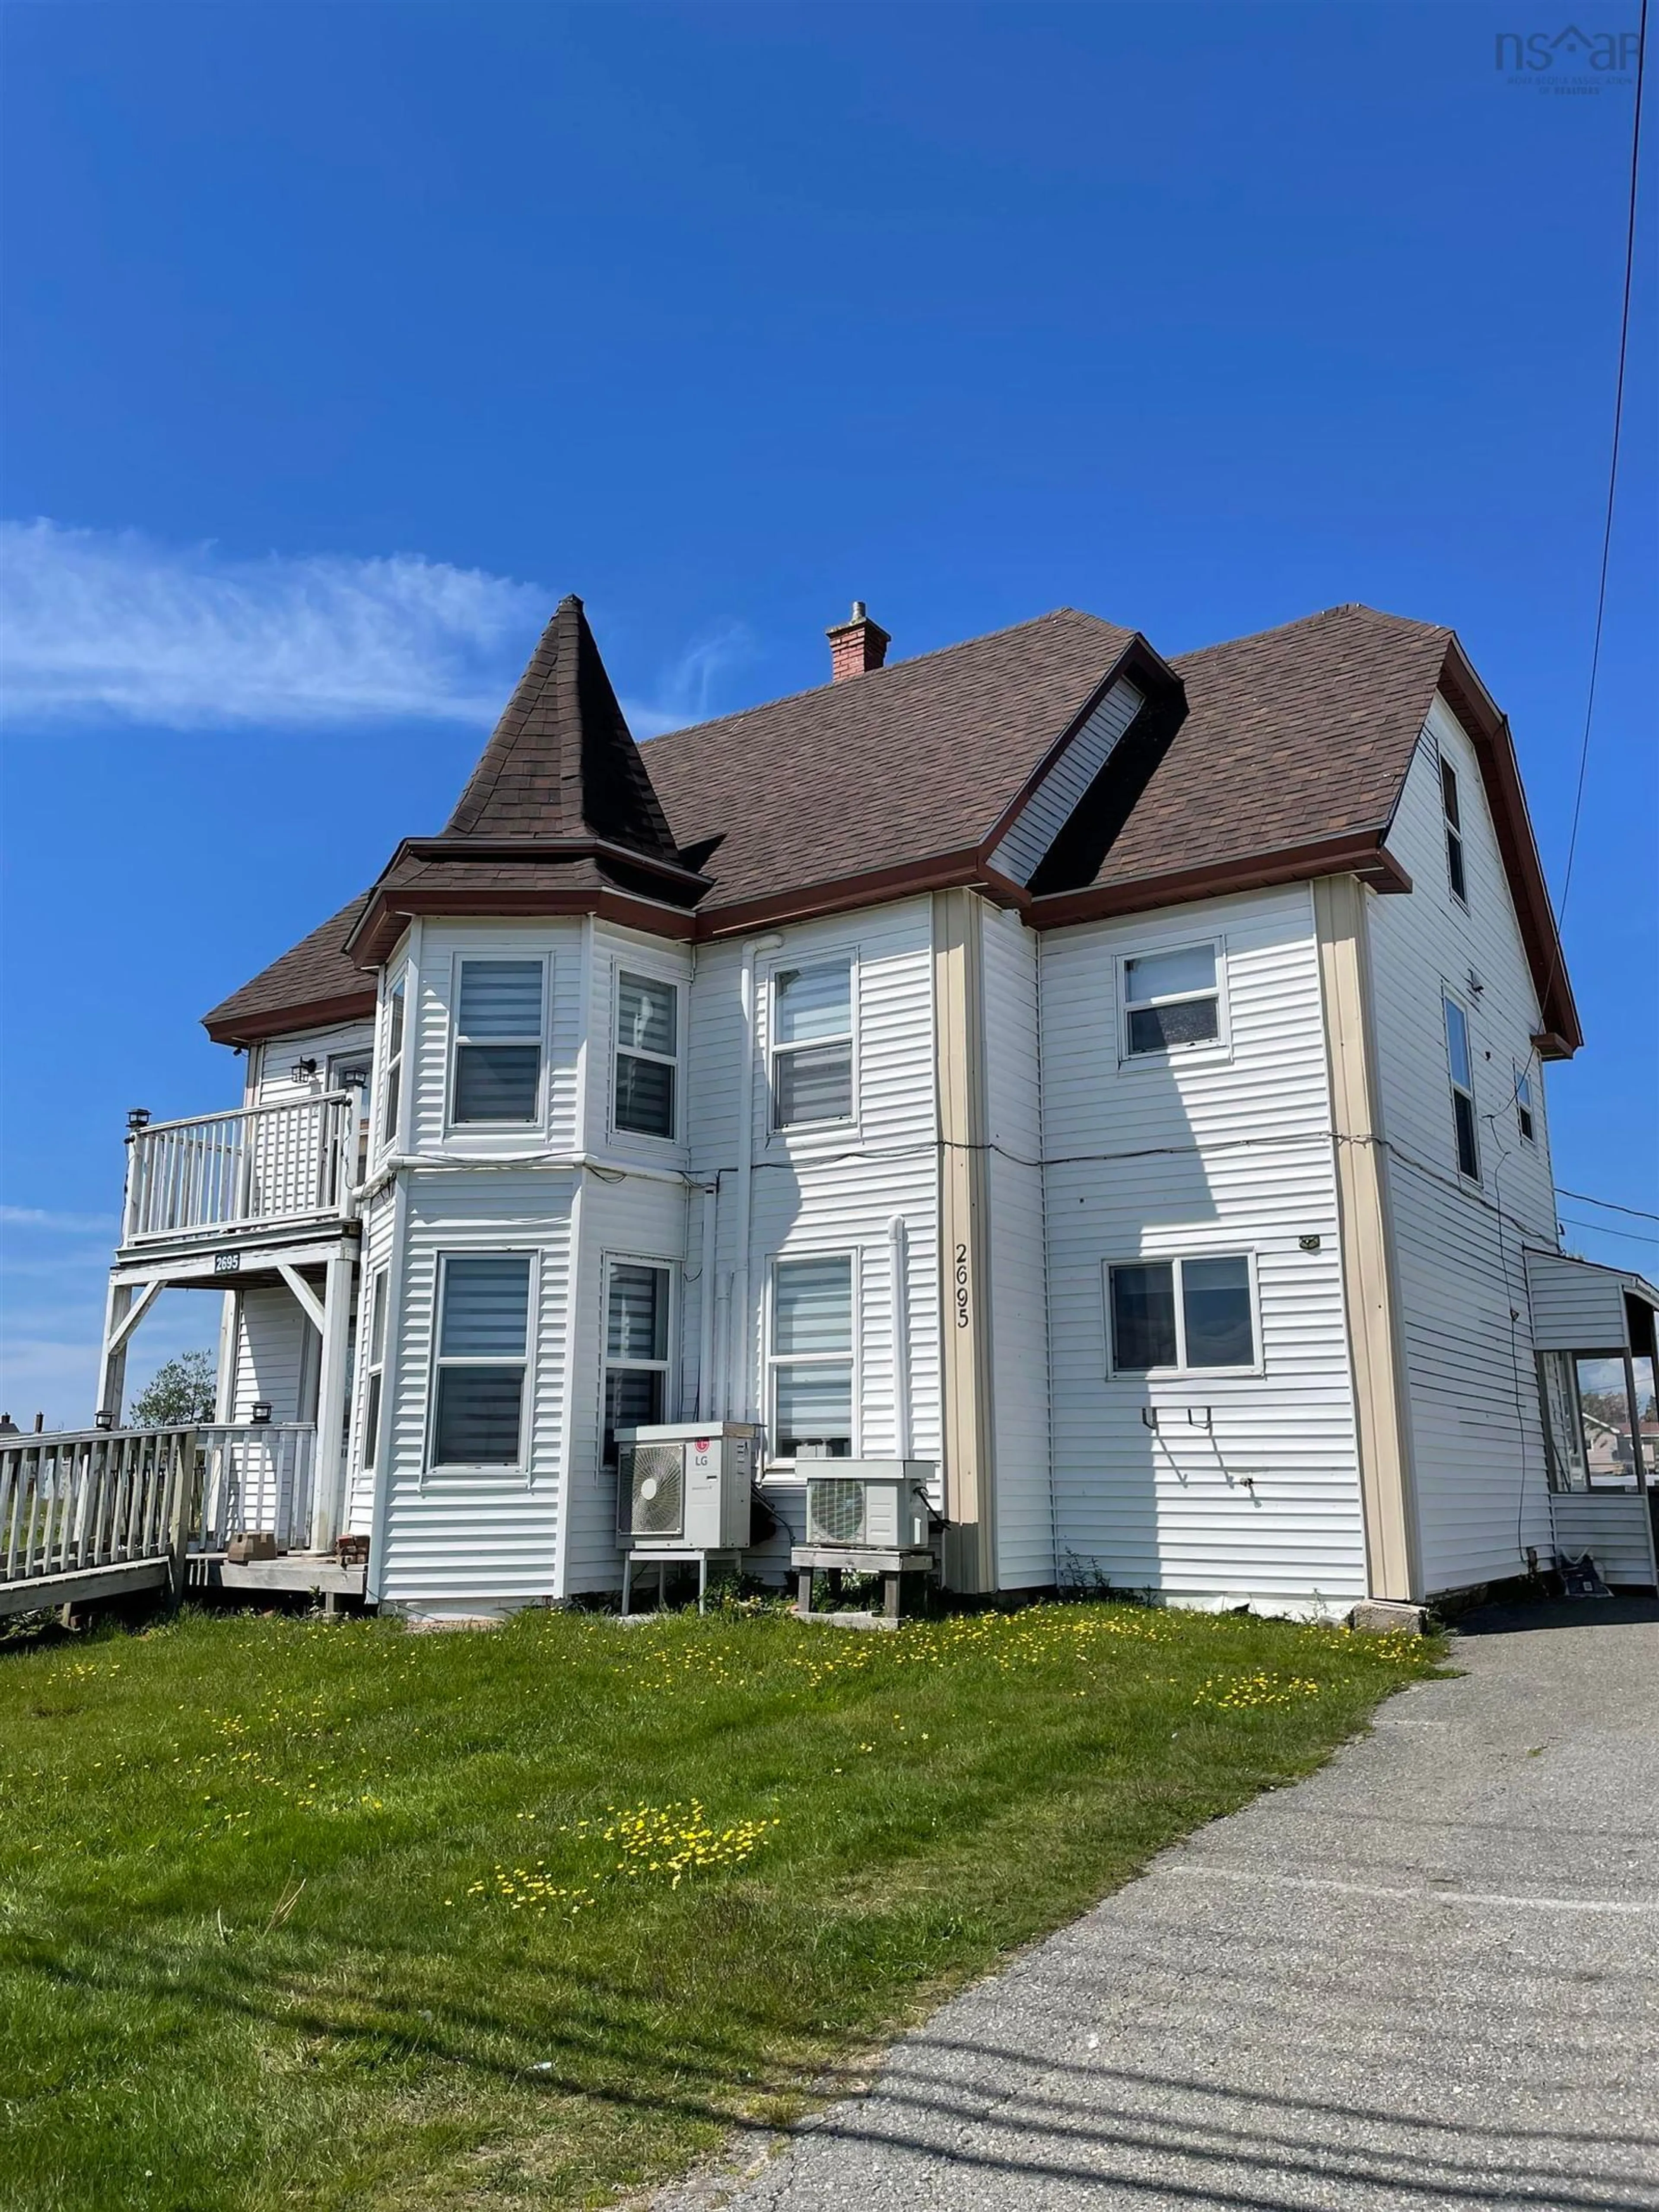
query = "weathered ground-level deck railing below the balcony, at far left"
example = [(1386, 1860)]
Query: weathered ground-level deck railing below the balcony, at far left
[(94, 1499)]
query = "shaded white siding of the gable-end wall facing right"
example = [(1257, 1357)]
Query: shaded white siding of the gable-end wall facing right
[(1479, 1448)]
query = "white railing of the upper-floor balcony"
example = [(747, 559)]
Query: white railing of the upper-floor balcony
[(251, 1169)]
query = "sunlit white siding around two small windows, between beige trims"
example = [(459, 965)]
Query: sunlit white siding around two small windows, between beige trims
[(1249, 1485)]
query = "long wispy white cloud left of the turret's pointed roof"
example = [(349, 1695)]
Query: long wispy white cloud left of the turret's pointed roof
[(112, 625)]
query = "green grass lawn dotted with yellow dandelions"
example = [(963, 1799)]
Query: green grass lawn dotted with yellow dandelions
[(333, 1914)]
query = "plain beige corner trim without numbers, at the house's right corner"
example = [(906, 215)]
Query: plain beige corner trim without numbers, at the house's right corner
[(1370, 1271)]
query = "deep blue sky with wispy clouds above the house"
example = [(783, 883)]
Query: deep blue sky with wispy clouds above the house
[(344, 340)]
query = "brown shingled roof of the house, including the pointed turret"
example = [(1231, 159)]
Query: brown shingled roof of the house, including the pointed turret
[(1264, 760)]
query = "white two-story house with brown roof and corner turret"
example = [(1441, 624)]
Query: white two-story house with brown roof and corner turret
[(1114, 1081)]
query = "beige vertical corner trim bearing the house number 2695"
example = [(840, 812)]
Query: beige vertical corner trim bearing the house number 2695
[(966, 1277)]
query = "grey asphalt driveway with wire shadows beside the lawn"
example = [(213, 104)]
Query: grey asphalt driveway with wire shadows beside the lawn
[(1423, 1979)]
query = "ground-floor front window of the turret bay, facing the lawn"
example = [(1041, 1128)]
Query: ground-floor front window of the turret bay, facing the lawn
[(481, 1361)]
